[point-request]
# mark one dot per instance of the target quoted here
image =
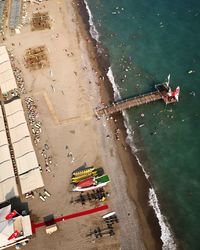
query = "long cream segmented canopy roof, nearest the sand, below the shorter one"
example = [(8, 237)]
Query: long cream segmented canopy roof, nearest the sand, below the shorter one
[(26, 160)]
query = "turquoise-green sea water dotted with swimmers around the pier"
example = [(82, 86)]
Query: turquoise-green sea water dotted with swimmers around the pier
[(147, 40)]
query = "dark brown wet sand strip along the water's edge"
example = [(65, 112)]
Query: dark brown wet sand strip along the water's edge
[(138, 186)]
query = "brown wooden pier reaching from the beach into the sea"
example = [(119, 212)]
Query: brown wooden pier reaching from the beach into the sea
[(160, 93)]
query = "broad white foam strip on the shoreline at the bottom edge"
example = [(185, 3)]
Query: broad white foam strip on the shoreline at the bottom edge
[(166, 235)]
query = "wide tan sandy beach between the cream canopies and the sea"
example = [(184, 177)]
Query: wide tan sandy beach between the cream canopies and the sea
[(66, 93)]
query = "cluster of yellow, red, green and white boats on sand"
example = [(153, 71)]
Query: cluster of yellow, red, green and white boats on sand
[(88, 178)]
